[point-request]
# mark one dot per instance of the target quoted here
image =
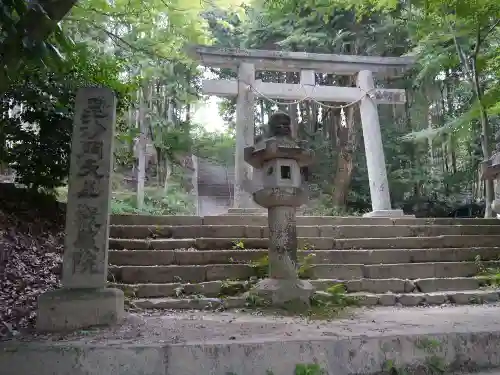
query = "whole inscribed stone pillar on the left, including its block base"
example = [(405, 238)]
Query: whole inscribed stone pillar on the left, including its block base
[(84, 300)]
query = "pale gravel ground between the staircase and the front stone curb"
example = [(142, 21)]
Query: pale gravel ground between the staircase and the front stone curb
[(157, 328)]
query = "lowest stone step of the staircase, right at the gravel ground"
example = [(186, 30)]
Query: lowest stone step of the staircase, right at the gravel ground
[(365, 299)]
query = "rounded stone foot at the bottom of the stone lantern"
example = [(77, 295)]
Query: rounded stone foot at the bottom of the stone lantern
[(288, 294)]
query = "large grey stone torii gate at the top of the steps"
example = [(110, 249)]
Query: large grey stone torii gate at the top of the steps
[(246, 87)]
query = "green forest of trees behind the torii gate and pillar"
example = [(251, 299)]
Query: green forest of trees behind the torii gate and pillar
[(433, 145)]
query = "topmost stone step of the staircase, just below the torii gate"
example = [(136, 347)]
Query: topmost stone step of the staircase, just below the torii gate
[(301, 220)]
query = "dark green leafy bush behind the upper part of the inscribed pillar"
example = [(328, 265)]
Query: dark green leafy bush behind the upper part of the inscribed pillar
[(38, 138)]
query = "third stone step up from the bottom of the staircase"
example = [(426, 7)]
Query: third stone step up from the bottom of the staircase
[(213, 272)]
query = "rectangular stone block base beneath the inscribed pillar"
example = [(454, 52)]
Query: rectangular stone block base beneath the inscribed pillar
[(72, 309)]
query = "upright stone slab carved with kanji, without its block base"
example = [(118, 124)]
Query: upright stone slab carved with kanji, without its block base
[(85, 256)]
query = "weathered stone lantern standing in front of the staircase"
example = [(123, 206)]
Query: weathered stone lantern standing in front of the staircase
[(279, 158)]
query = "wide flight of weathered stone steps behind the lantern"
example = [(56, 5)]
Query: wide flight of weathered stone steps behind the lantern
[(187, 262)]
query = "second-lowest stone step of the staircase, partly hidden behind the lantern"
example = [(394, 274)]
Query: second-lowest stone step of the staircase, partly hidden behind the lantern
[(214, 289)]
